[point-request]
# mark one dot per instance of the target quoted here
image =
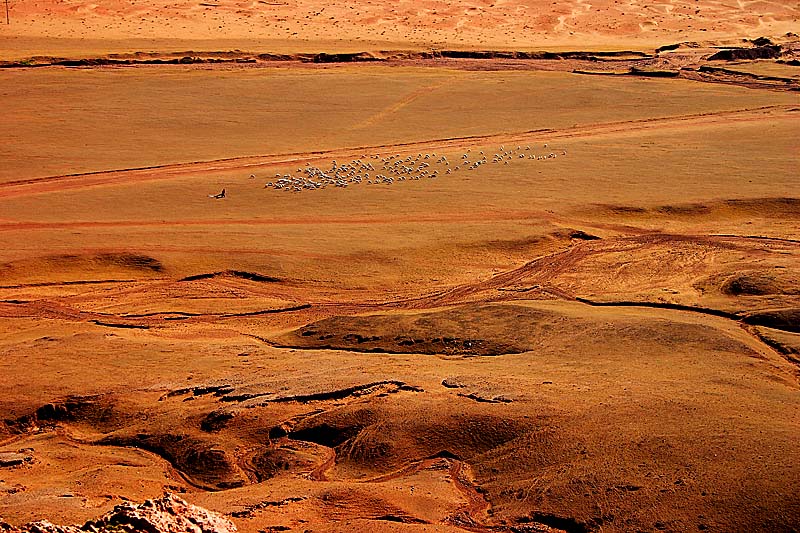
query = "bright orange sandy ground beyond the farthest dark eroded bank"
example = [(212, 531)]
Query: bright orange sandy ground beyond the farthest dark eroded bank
[(306, 24)]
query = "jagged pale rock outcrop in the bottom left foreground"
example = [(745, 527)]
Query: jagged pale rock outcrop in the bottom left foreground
[(168, 514)]
